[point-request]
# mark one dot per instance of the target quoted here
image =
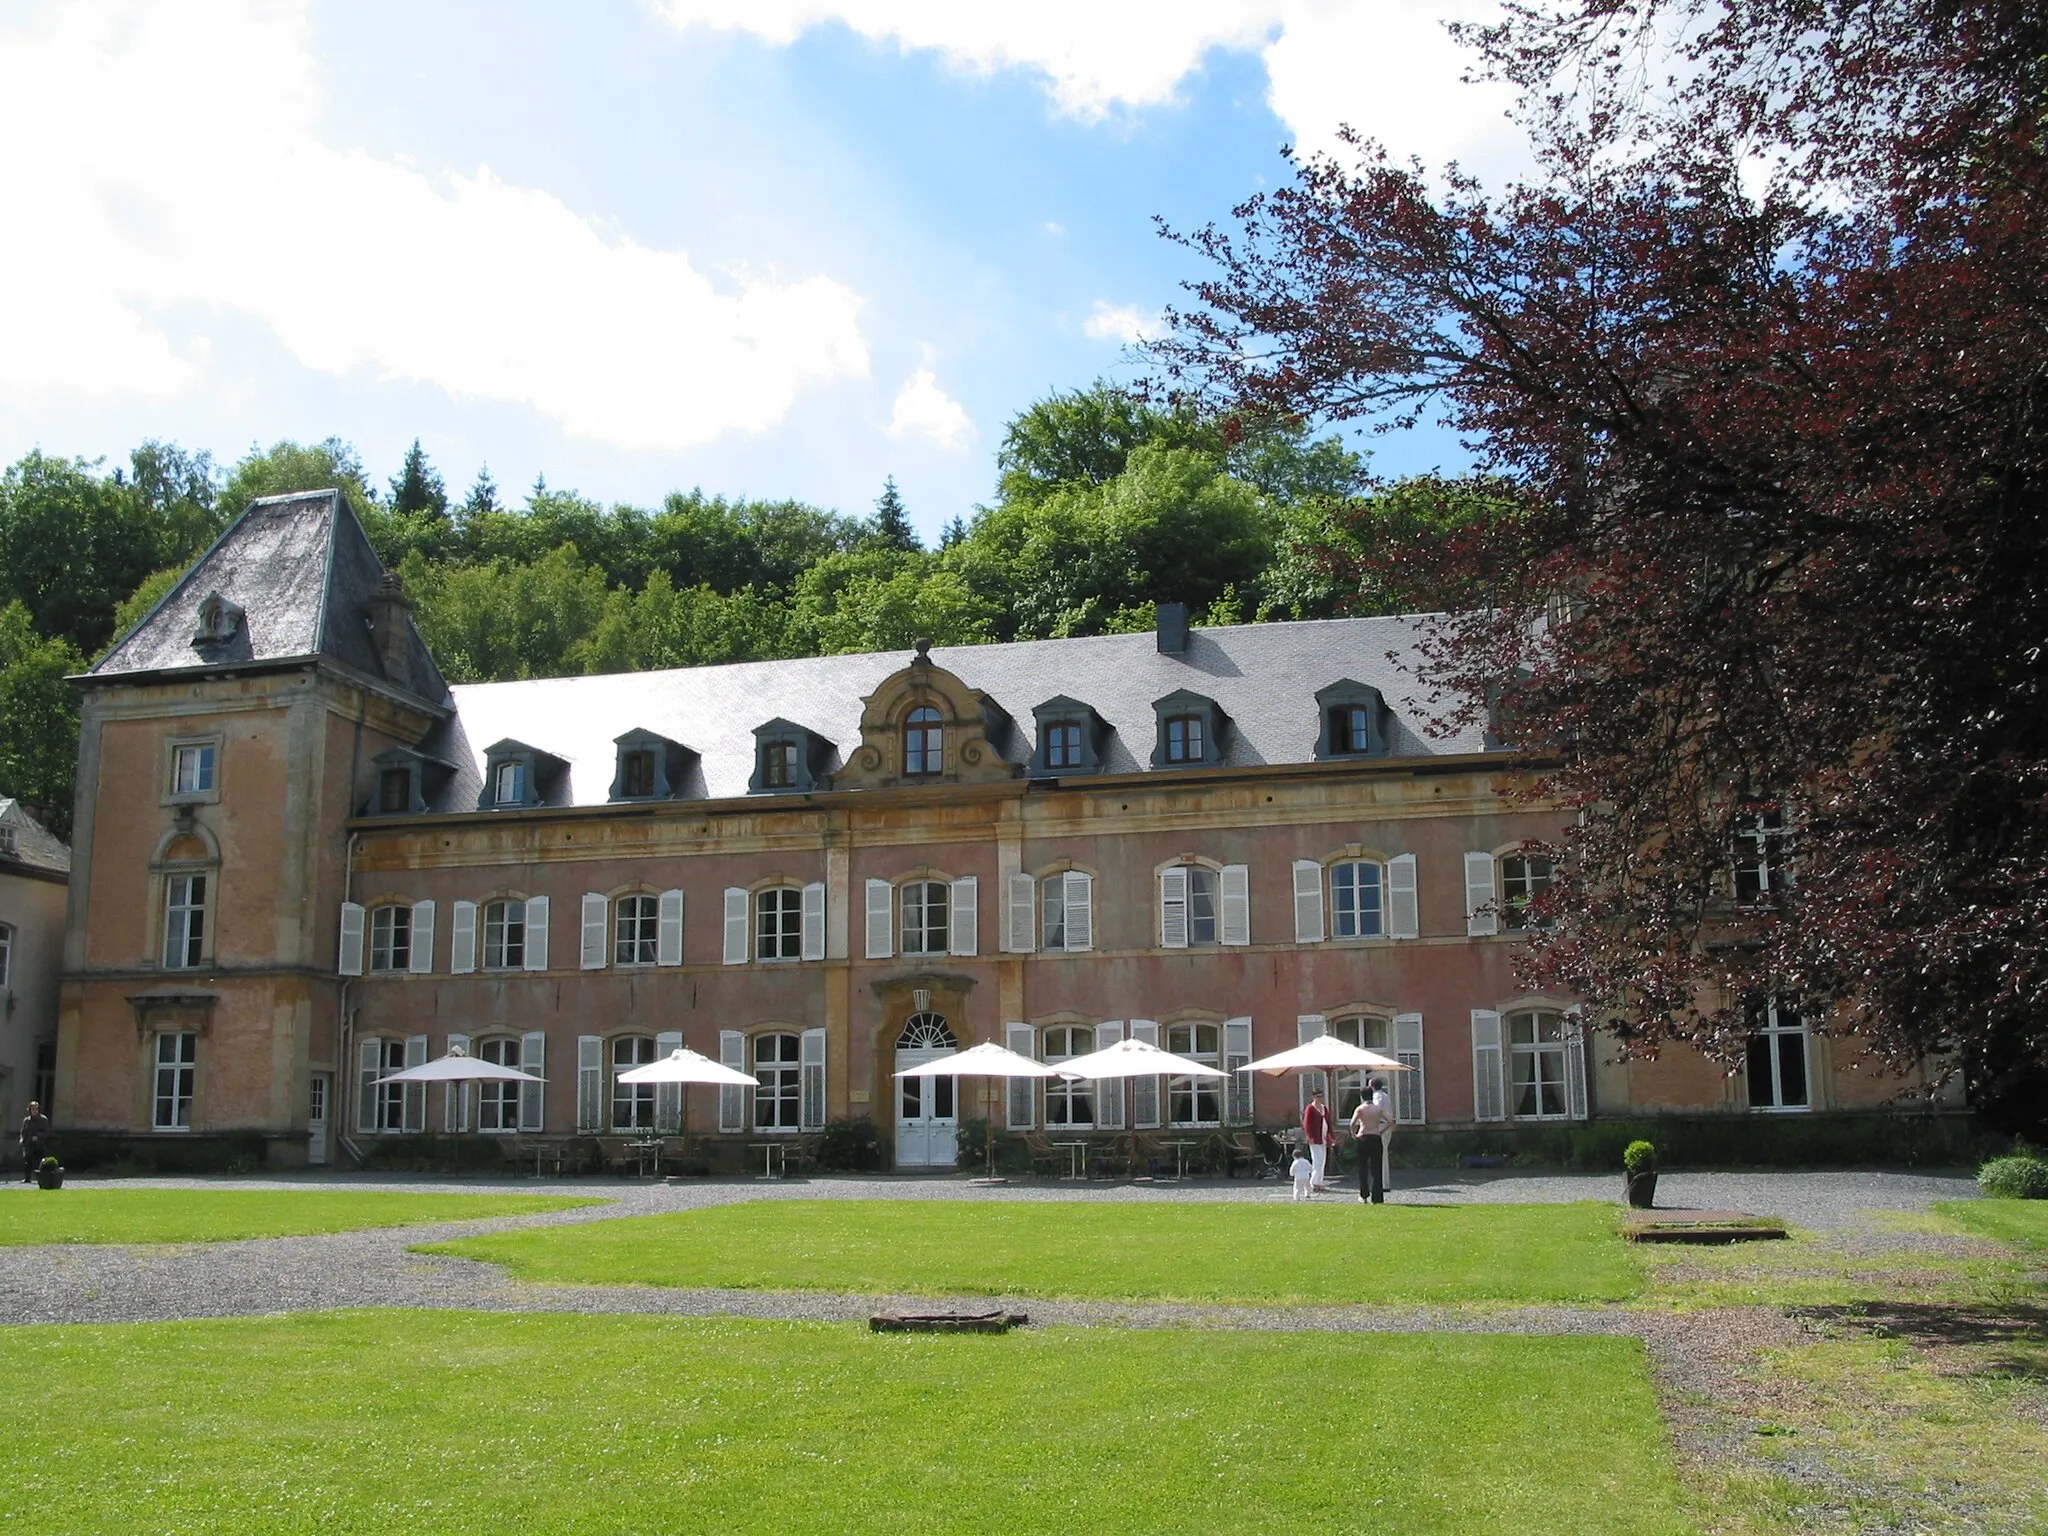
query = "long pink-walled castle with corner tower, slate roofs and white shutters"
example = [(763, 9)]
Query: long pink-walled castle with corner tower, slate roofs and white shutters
[(302, 861)]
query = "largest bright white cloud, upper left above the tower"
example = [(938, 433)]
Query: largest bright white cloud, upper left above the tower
[(173, 161)]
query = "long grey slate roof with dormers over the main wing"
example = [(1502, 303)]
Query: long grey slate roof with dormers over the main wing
[(1263, 677)]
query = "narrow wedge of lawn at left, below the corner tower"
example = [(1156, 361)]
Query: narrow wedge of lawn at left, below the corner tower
[(140, 1215)]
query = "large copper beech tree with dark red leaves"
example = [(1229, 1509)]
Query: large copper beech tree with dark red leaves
[(1764, 355)]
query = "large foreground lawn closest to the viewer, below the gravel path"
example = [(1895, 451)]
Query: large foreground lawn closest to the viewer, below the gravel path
[(460, 1422)]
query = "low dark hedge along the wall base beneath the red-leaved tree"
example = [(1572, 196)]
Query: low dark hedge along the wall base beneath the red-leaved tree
[(1715, 1142)]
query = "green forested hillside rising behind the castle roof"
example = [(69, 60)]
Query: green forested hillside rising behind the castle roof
[(1103, 507)]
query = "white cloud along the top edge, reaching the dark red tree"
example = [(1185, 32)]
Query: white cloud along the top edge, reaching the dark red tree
[(1383, 67)]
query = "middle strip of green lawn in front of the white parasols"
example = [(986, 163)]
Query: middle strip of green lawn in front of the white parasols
[(1183, 1252)]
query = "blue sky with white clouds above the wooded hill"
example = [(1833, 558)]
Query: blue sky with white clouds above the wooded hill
[(769, 247)]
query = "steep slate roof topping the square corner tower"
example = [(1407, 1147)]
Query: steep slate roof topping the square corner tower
[(300, 574)]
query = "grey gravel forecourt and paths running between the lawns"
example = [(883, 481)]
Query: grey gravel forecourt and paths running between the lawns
[(374, 1269)]
